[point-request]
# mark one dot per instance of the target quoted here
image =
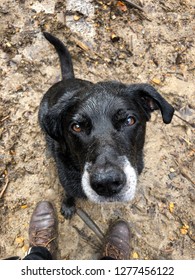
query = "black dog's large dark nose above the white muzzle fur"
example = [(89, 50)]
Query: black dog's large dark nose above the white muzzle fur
[(107, 182)]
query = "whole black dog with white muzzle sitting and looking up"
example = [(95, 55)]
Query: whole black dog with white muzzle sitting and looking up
[(96, 133)]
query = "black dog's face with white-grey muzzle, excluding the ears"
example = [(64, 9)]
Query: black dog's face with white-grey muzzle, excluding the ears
[(104, 138)]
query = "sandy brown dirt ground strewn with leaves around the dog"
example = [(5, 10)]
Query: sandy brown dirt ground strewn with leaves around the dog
[(108, 40)]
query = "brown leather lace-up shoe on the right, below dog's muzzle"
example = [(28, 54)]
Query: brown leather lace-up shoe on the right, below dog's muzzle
[(117, 241)]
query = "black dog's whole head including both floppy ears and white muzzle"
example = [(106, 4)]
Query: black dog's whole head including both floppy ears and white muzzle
[(102, 128)]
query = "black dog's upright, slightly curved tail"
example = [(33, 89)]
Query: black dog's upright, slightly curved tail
[(64, 56)]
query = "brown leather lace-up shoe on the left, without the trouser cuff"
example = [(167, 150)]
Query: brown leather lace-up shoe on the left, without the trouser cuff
[(43, 227)]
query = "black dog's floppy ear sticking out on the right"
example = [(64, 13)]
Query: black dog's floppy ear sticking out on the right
[(151, 100)]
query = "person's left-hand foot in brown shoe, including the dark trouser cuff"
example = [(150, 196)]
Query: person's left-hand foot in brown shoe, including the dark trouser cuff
[(42, 233)]
